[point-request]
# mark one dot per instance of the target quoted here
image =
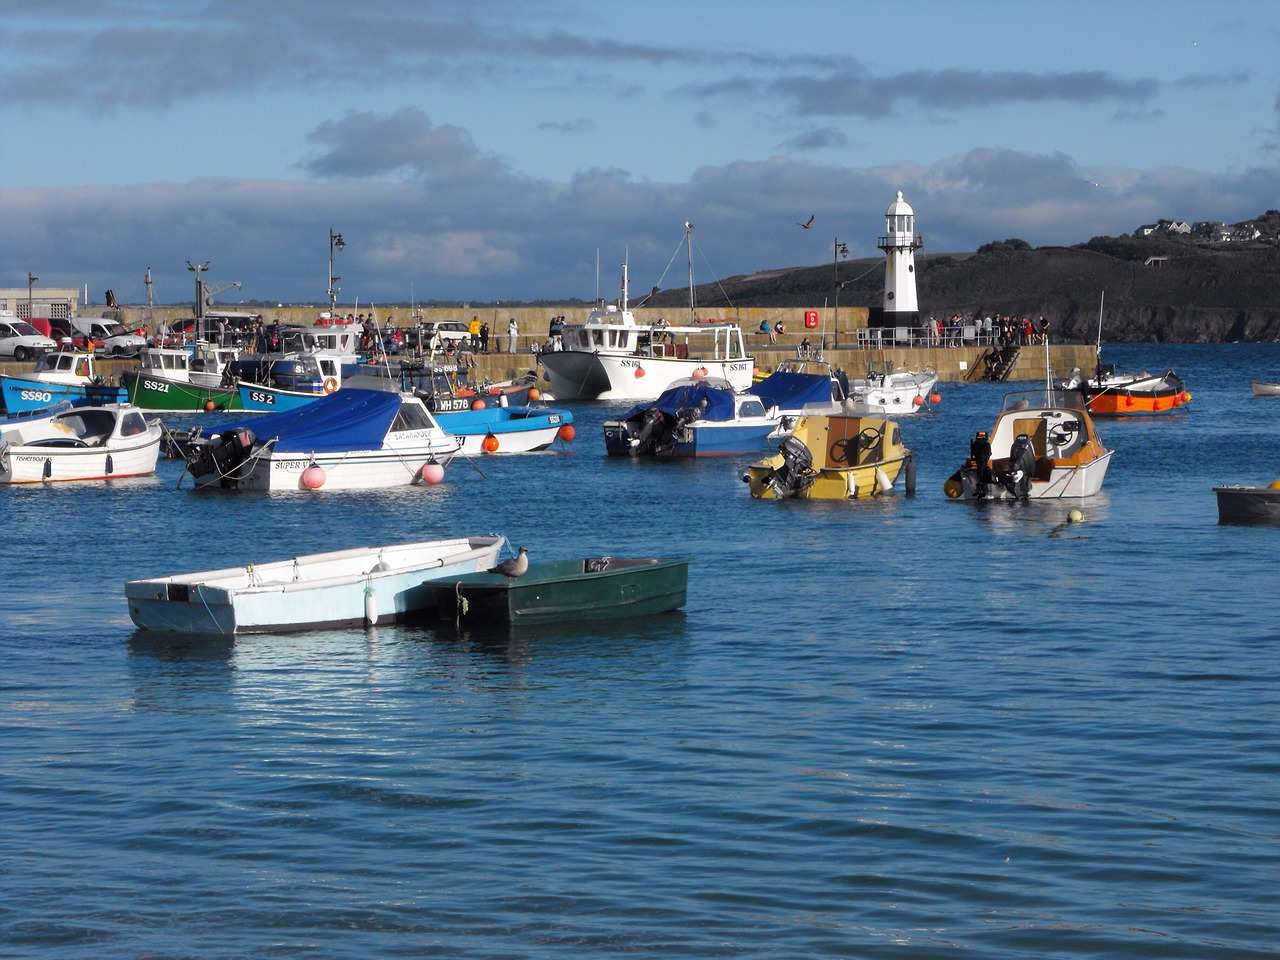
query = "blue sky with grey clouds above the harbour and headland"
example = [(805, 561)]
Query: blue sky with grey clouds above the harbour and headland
[(516, 150)]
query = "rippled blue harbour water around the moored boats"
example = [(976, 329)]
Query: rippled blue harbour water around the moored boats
[(902, 729)]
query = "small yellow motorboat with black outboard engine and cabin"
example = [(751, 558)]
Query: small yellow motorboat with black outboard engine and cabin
[(835, 458)]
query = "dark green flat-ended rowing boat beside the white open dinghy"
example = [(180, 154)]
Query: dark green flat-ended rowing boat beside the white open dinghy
[(595, 588)]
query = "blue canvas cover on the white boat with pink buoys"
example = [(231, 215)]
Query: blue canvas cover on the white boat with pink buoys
[(348, 420)]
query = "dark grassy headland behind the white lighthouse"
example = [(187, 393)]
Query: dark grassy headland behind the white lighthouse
[(1174, 290)]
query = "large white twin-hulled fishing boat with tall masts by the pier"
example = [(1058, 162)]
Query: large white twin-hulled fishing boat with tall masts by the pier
[(614, 358)]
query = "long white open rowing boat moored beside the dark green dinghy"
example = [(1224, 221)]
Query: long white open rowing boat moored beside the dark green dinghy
[(364, 586)]
